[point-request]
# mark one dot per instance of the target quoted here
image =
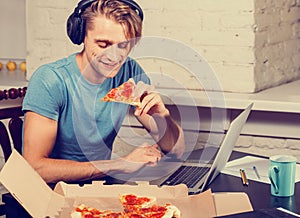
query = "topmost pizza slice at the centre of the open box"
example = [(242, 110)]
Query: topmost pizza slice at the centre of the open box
[(132, 202)]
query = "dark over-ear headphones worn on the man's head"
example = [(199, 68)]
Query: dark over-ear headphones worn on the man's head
[(76, 25)]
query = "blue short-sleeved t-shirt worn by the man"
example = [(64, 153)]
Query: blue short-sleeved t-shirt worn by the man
[(87, 127)]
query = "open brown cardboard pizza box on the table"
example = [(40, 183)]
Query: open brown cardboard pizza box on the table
[(30, 190)]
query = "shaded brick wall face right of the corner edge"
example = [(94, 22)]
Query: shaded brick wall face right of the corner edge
[(277, 42)]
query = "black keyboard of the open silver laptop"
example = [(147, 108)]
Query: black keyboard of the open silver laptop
[(189, 175)]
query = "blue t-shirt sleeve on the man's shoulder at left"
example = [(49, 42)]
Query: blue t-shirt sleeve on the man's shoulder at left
[(44, 93)]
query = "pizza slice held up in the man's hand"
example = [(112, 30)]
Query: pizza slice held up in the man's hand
[(123, 94)]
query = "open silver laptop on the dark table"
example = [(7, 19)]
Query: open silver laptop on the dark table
[(198, 174)]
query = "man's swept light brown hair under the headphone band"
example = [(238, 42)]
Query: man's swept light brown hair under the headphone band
[(117, 11)]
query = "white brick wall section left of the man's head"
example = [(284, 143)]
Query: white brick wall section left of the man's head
[(46, 32)]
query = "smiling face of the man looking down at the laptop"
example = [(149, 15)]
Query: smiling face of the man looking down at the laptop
[(106, 46)]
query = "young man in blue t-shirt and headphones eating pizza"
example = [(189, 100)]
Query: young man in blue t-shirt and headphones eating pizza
[(68, 131)]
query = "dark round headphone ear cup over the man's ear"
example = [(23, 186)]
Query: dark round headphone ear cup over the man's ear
[(76, 29)]
